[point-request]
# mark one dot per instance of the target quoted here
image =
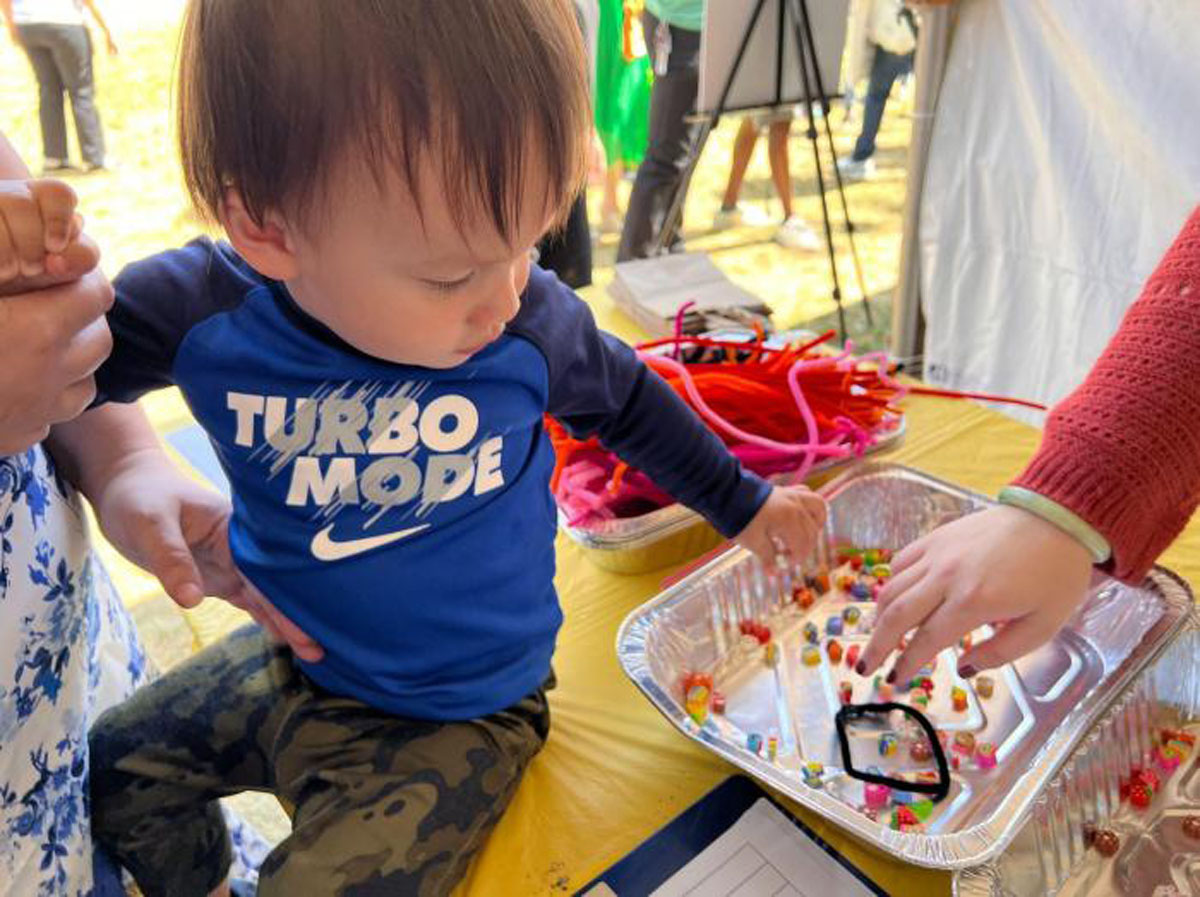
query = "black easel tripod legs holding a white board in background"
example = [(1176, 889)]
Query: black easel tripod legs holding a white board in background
[(795, 14)]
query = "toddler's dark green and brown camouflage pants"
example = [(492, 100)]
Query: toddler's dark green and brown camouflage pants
[(383, 805)]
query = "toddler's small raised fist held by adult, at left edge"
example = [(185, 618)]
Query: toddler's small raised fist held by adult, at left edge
[(38, 224)]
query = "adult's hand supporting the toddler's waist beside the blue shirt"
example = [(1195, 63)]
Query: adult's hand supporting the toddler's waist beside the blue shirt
[(179, 532)]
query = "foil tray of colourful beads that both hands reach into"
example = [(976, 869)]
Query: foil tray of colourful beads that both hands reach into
[(1039, 712)]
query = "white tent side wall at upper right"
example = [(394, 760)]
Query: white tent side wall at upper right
[(1064, 158)]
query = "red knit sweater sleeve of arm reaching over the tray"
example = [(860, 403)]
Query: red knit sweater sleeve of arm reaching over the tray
[(1124, 450)]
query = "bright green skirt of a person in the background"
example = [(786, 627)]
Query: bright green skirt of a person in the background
[(623, 92)]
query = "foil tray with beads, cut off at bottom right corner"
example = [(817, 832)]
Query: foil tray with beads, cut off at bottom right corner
[(1157, 858)]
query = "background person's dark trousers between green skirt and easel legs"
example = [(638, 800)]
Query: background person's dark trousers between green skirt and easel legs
[(671, 142)]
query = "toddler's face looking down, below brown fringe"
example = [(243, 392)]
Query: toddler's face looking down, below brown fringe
[(411, 287)]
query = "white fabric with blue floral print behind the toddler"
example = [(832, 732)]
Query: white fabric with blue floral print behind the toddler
[(68, 653)]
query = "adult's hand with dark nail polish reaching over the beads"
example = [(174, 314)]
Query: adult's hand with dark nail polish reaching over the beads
[(1003, 567)]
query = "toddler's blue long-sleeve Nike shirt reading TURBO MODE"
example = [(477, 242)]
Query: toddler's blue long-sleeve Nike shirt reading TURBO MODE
[(403, 515)]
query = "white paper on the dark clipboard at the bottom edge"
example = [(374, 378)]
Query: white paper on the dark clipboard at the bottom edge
[(764, 856)]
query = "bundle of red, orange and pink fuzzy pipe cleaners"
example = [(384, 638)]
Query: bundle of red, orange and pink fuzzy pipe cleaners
[(781, 410)]
